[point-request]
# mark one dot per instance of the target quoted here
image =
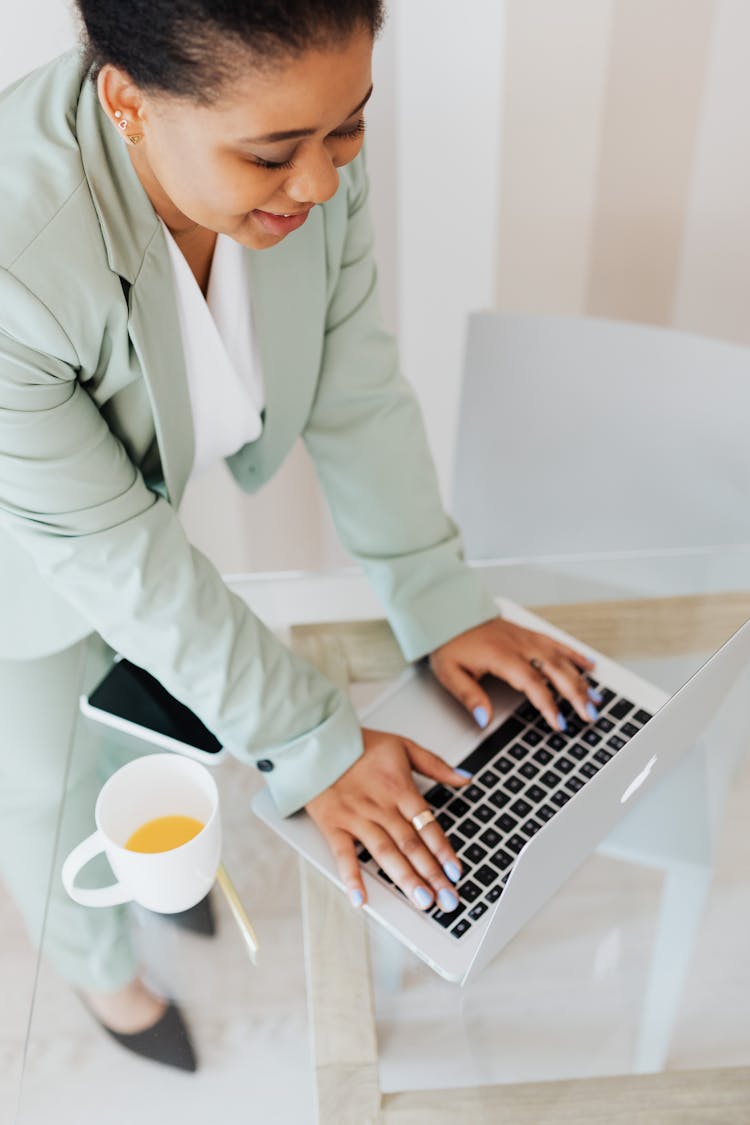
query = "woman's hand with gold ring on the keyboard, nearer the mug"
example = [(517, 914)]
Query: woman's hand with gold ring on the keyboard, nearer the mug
[(374, 804)]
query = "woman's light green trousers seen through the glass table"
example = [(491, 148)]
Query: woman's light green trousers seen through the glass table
[(53, 763)]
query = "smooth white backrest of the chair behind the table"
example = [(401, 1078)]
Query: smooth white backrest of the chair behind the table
[(586, 436)]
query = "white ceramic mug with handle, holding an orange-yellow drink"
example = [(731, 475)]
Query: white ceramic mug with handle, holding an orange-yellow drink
[(168, 883)]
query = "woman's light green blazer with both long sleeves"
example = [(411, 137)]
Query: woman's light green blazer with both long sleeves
[(97, 440)]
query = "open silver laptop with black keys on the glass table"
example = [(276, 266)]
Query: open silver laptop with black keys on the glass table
[(539, 803)]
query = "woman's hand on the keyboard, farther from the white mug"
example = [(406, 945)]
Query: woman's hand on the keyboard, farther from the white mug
[(529, 661)]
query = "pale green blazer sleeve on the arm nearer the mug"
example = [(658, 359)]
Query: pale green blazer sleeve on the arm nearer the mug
[(116, 551)]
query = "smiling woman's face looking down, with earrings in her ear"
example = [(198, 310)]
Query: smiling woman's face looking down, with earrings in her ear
[(268, 148)]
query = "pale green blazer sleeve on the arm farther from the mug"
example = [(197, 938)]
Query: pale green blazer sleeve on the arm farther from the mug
[(368, 443)]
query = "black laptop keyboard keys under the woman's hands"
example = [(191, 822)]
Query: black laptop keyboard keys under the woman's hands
[(523, 775)]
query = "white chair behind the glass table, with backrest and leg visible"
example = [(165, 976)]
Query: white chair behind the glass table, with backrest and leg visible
[(585, 437)]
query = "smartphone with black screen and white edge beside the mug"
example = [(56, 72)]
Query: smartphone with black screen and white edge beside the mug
[(133, 703)]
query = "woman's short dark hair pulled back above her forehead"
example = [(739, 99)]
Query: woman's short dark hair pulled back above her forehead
[(192, 48)]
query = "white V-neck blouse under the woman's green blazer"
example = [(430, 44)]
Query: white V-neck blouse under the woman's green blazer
[(223, 364)]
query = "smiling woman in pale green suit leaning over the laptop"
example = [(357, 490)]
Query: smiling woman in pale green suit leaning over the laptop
[(202, 163)]
